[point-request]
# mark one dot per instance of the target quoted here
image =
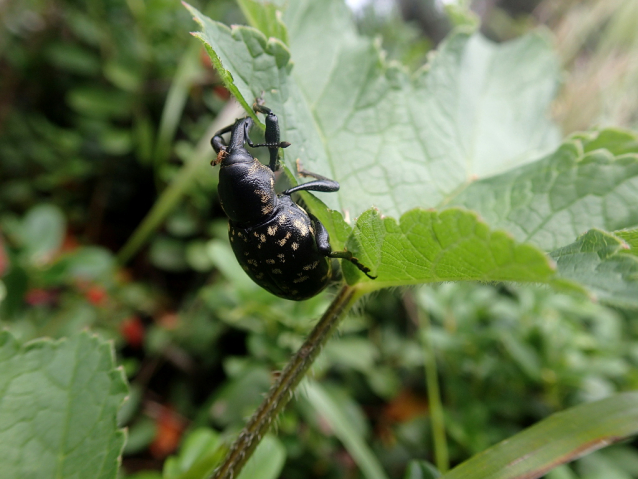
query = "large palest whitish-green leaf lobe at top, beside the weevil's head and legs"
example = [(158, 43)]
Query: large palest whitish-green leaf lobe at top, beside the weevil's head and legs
[(391, 140)]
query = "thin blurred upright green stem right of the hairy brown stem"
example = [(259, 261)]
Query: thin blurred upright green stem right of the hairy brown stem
[(434, 395)]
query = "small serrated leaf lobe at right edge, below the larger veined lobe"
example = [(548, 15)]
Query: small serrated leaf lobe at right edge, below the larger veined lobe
[(595, 260)]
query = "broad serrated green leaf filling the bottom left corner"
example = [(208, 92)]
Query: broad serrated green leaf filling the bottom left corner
[(58, 409)]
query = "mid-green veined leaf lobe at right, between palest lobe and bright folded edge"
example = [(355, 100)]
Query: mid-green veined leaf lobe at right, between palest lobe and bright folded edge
[(553, 200)]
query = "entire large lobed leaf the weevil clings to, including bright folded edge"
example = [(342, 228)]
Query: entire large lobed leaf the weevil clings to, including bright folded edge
[(469, 130)]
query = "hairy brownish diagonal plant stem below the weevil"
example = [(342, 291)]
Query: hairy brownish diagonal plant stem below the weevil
[(282, 391)]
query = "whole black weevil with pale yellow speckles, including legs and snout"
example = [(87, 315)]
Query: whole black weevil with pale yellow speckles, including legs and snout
[(282, 247)]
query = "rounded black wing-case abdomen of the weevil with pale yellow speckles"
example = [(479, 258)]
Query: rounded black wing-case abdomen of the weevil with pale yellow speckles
[(280, 254)]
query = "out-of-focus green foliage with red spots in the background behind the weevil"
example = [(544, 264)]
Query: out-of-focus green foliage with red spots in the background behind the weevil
[(89, 138)]
